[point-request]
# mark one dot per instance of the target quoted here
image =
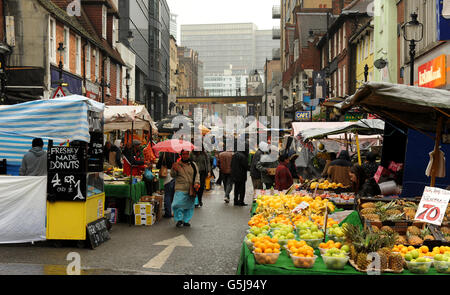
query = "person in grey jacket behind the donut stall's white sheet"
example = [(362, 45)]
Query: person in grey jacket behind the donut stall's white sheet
[(34, 163)]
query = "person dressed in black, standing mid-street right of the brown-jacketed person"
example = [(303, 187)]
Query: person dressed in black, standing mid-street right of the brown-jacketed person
[(239, 168)]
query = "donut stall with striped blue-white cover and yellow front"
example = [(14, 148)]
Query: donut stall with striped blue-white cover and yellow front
[(72, 197)]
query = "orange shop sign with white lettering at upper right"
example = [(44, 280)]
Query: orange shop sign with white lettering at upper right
[(433, 73)]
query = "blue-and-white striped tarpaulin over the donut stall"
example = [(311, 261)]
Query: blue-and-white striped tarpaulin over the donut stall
[(60, 120)]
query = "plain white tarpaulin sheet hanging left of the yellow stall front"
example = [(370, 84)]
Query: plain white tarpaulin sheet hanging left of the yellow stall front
[(23, 209)]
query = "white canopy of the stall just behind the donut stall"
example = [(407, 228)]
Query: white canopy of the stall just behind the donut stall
[(121, 117)]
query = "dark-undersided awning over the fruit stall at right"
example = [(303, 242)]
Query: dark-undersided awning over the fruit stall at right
[(415, 107)]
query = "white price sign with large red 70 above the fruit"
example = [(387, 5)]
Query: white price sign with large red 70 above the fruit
[(432, 206)]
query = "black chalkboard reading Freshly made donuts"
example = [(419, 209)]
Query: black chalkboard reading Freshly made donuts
[(66, 159)]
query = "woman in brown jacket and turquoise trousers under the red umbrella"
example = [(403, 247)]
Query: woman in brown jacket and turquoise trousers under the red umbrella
[(187, 183)]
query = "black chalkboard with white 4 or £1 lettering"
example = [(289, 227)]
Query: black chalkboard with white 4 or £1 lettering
[(66, 186)]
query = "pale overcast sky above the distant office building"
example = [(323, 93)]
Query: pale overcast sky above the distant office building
[(258, 12)]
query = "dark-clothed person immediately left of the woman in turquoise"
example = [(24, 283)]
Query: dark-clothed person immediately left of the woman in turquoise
[(165, 163)]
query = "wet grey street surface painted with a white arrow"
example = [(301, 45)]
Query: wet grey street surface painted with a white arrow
[(211, 246)]
